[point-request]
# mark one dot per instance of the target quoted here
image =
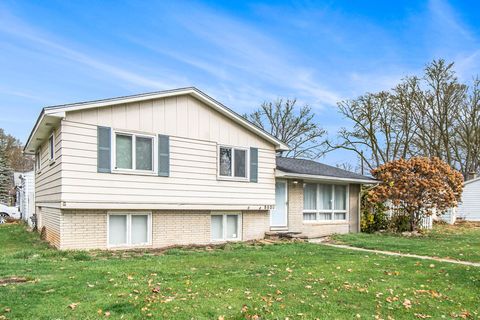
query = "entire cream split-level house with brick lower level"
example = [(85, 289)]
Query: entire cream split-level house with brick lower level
[(176, 167)]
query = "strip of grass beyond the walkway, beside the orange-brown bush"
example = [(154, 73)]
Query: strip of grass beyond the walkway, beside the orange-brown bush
[(461, 242)]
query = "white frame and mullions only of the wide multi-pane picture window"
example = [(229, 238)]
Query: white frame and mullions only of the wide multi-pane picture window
[(332, 200)]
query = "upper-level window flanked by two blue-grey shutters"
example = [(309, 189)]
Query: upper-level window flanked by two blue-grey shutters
[(134, 152)]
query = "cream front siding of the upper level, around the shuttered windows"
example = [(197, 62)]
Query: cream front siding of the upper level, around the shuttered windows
[(193, 182)]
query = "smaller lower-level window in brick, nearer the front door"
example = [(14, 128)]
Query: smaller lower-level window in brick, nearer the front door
[(225, 227)]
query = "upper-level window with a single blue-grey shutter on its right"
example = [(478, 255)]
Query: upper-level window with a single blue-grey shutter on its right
[(232, 162)]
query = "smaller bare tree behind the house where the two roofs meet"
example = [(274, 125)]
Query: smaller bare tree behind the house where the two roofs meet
[(293, 125)]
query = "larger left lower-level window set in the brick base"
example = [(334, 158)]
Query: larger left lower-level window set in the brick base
[(129, 229)]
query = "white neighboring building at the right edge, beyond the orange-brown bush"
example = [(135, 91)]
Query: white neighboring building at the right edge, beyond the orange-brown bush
[(469, 207)]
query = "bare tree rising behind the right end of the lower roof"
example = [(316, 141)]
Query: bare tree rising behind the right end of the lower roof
[(381, 130)]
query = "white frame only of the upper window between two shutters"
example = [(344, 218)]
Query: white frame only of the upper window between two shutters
[(134, 135)]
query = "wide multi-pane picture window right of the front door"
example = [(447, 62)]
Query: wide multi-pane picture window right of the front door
[(324, 202)]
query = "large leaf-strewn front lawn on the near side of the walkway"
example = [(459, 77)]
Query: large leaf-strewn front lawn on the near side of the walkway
[(294, 280)]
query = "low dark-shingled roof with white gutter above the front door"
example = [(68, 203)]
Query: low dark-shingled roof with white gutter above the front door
[(301, 168)]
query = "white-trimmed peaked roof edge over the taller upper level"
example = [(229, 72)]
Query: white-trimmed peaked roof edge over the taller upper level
[(52, 115)]
